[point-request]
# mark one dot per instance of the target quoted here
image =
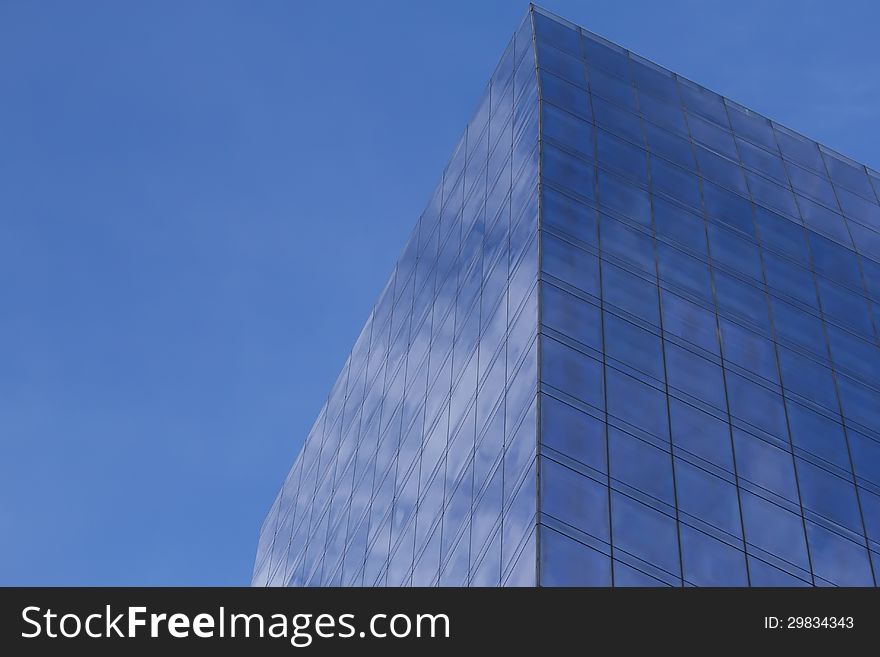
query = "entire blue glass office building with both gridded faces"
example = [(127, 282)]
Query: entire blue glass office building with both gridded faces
[(632, 341)]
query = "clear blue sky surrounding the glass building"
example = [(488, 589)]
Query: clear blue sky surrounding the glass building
[(200, 201)]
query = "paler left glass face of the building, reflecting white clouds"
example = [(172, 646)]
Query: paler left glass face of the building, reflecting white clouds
[(421, 469)]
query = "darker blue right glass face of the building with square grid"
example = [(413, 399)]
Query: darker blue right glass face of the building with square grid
[(708, 326)]
